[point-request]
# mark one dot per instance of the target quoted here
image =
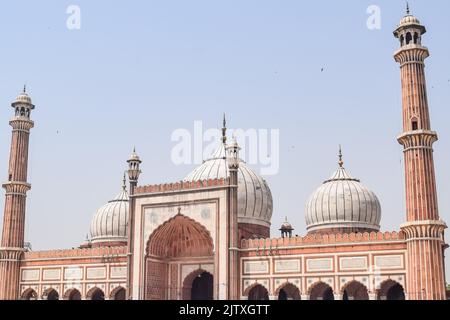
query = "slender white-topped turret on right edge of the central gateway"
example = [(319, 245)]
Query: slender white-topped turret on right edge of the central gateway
[(232, 154)]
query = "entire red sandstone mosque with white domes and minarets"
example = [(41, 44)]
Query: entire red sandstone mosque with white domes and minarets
[(208, 235)]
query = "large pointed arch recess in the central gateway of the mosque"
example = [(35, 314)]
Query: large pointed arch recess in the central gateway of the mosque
[(178, 238)]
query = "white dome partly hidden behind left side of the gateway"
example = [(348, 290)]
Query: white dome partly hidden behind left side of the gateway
[(109, 223)]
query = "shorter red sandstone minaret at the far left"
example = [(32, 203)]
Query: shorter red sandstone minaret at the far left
[(12, 245)]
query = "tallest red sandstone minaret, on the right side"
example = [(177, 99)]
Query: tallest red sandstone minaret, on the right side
[(424, 230)]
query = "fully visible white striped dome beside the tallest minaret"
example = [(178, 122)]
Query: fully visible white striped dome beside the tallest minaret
[(342, 204)]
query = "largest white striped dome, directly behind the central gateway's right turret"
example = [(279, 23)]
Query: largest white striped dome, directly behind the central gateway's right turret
[(254, 196)]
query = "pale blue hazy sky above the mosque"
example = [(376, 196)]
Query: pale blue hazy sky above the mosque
[(138, 70)]
